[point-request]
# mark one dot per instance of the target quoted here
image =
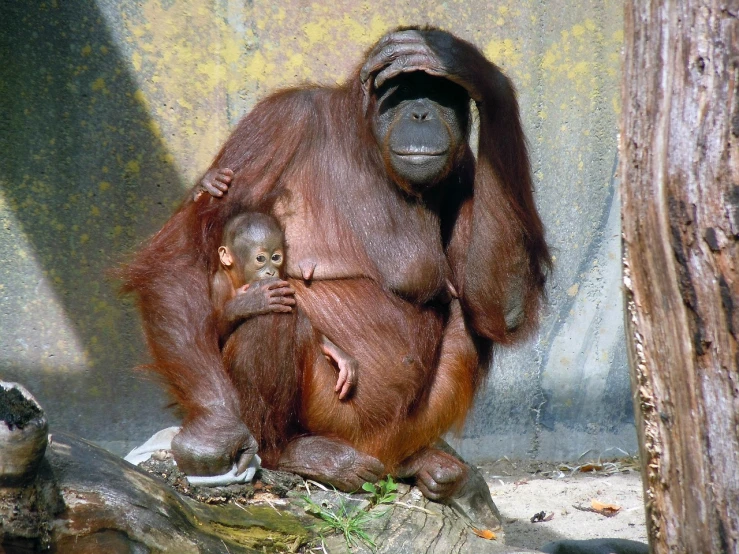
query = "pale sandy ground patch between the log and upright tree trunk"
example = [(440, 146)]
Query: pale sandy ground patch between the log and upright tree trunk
[(523, 489)]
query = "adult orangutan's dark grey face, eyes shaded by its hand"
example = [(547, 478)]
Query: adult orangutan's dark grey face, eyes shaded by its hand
[(420, 124)]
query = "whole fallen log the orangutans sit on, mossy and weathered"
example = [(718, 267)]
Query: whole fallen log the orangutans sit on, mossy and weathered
[(83, 499)]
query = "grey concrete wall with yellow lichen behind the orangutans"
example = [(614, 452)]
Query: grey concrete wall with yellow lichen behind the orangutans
[(111, 109)]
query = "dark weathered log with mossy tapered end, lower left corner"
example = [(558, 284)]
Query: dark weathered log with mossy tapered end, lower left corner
[(85, 500)]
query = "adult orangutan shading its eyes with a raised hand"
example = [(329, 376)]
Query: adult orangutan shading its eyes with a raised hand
[(403, 249)]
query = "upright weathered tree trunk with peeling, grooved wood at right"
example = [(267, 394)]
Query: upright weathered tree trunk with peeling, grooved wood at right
[(680, 189)]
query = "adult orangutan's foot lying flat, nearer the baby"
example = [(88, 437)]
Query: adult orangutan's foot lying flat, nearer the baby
[(330, 461)]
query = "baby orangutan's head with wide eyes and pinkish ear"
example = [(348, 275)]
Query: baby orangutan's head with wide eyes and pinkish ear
[(256, 254)]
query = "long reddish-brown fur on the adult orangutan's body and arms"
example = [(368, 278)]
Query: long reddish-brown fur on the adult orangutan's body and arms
[(420, 363)]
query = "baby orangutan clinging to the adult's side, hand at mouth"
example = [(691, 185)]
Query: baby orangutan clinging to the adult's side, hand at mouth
[(267, 342)]
